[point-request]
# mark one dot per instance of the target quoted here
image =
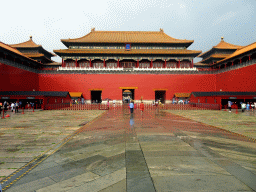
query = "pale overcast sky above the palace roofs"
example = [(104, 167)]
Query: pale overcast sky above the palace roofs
[(204, 21)]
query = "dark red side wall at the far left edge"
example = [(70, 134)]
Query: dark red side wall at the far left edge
[(16, 79)]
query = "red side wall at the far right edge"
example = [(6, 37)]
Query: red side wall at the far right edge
[(243, 79)]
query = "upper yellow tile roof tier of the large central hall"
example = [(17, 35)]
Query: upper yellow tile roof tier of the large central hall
[(127, 37)]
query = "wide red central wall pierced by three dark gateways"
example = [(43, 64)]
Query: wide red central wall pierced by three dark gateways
[(111, 83)]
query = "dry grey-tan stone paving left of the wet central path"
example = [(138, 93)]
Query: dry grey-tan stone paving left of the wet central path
[(32, 134)]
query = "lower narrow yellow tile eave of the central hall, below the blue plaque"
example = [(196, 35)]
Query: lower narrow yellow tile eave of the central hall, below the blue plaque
[(123, 51)]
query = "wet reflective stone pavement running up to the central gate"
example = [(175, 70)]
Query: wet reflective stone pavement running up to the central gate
[(154, 151)]
